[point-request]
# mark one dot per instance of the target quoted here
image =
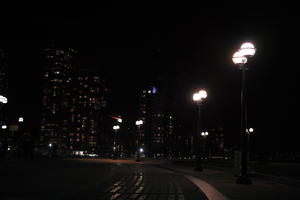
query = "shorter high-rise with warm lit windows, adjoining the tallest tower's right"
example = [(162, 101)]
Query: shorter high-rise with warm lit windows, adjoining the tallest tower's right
[(87, 101)]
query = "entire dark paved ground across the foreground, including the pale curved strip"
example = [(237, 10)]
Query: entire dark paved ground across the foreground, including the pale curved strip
[(75, 178)]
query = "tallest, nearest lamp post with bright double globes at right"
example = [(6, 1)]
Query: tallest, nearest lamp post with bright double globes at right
[(240, 58)]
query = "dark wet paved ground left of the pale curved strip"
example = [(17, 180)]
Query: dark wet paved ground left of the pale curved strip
[(92, 179)]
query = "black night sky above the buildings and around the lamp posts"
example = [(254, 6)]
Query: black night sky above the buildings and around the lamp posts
[(187, 48)]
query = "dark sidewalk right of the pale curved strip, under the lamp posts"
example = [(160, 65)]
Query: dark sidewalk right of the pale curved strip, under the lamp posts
[(261, 188)]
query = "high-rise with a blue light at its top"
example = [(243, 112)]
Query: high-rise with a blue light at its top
[(157, 130)]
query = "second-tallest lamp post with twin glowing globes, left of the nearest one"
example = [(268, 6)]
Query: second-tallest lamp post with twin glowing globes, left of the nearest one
[(198, 98)]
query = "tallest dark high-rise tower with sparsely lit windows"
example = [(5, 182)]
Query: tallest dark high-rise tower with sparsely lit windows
[(59, 63)]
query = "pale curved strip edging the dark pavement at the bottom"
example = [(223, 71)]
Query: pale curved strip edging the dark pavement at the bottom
[(210, 192)]
